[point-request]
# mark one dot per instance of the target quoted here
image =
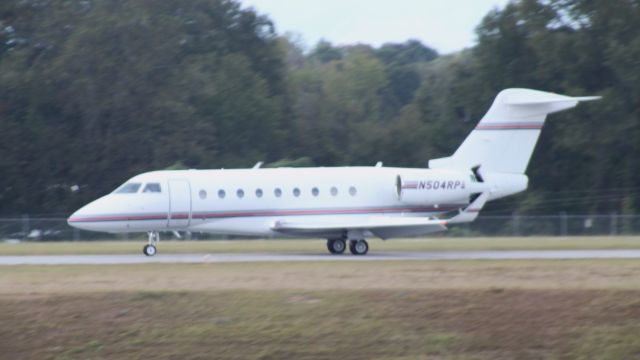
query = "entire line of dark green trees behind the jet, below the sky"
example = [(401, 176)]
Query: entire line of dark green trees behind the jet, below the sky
[(94, 92)]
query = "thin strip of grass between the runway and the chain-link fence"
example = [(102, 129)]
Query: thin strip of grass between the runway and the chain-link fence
[(318, 246)]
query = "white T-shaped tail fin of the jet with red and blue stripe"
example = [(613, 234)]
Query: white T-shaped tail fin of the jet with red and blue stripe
[(504, 139)]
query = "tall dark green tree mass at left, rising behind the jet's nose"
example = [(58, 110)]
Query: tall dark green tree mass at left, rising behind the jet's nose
[(100, 91)]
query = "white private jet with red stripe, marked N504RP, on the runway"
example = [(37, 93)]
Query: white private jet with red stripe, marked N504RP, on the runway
[(340, 204)]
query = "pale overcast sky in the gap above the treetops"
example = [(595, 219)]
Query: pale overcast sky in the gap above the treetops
[(446, 26)]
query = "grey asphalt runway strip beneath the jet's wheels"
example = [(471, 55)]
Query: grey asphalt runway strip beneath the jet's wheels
[(271, 257)]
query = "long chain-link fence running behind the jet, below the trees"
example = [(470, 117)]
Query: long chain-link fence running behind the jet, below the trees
[(30, 228)]
